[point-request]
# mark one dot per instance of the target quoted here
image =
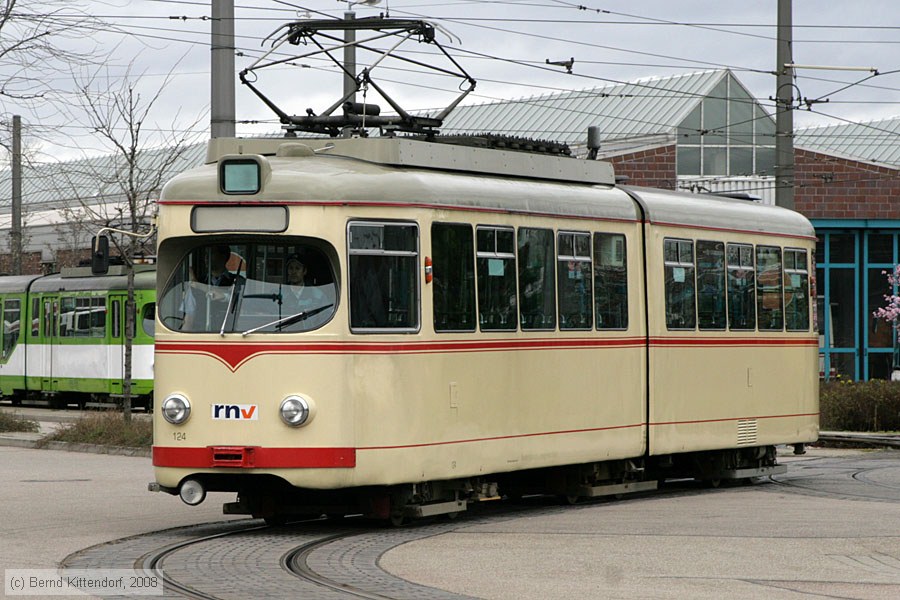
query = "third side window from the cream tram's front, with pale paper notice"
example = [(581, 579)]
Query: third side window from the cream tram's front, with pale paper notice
[(496, 265)]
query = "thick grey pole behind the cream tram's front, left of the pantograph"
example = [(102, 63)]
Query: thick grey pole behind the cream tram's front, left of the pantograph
[(221, 106)]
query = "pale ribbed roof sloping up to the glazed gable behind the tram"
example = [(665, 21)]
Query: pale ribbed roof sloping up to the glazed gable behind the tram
[(638, 109)]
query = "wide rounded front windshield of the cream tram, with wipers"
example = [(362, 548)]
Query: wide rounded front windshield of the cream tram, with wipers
[(249, 288)]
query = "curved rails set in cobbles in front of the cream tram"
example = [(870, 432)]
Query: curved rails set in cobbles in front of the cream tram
[(287, 568)]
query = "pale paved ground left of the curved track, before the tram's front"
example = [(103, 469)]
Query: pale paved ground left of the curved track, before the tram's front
[(54, 503)]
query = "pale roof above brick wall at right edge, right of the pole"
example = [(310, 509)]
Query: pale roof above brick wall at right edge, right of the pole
[(876, 142)]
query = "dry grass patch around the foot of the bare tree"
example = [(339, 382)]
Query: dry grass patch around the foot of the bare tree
[(106, 428)]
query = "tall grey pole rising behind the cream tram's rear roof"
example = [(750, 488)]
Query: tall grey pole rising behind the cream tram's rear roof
[(784, 112)]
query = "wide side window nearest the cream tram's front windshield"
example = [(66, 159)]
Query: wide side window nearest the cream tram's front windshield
[(383, 273)]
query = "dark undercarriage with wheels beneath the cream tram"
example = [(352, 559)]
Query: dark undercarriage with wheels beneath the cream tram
[(273, 499)]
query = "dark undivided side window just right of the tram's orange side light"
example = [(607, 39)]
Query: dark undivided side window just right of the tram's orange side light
[(452, 248)]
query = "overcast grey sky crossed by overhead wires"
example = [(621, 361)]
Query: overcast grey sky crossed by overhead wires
[(504, 46)]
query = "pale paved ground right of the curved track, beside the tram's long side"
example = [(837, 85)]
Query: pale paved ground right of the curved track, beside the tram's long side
[(766, 541)]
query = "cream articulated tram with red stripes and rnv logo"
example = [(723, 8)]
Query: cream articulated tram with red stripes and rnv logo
[(400, 327)]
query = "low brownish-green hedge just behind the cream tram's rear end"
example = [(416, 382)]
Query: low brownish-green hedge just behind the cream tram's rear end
[(860, 405)]
